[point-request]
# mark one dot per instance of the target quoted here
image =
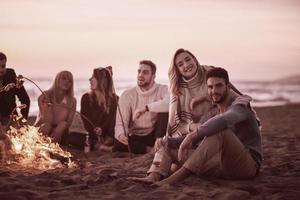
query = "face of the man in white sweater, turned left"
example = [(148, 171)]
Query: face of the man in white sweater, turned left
[(145, 77)]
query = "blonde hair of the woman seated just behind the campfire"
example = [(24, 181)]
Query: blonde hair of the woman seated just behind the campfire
[(52, 92)]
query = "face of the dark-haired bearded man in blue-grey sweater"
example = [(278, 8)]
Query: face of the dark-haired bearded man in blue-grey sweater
[(217, 89)]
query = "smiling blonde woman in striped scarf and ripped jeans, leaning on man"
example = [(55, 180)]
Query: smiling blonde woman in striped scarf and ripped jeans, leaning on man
[(189, 108)]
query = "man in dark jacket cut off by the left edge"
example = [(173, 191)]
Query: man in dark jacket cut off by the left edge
[(9, 89)]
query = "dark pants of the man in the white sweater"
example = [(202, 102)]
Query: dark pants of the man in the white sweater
[(138, 144)]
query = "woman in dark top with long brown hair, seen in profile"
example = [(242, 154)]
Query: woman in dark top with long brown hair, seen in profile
[(100, 106)]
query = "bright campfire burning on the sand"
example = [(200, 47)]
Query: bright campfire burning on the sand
[(29, 148)]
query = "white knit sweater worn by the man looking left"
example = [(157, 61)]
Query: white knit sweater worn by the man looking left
[(157, 100)]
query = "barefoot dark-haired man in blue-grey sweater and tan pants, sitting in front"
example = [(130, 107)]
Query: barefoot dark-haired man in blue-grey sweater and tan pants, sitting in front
[(230, 145)]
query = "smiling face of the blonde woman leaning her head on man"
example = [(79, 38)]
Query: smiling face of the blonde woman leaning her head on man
[(186, 65)]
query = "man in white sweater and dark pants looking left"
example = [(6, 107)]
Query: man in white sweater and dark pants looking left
[(134, 131)]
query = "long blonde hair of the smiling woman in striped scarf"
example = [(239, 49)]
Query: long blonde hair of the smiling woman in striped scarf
[(174, 75)]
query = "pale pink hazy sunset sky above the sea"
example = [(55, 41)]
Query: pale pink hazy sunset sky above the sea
[(253, 40)]
